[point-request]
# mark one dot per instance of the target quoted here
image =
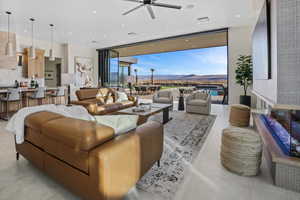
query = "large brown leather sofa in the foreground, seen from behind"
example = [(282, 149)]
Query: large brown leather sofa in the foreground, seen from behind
[(86, 157)]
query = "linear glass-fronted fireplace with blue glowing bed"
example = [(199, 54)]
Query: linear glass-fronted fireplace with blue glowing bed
[(284, 125)]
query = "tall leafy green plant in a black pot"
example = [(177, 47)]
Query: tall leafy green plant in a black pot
[(244, 77)]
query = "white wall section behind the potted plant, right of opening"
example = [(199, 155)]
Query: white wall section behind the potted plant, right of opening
[(239, 43)]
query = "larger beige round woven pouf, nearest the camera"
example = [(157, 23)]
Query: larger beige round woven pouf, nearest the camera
[(241, 151)]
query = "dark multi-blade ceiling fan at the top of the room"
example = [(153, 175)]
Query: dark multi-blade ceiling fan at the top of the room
[(149, 4)]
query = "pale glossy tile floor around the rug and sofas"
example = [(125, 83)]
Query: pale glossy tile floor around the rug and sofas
[(205, 179)]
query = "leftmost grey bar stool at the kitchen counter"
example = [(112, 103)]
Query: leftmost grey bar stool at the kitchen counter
[(13, 95)]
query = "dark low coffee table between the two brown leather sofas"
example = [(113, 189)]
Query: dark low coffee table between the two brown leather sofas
[(155, 108)]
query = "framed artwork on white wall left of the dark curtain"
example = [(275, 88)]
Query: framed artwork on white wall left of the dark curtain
[(84, 66)]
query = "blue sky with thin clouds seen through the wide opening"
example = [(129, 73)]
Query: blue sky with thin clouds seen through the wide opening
[(207, 61)]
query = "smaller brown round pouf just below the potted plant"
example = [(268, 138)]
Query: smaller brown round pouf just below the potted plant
[(239, 115)]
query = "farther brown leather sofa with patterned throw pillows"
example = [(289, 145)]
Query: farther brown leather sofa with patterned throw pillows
[(88, 99)]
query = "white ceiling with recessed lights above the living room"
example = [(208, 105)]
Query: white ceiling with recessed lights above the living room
[(77, 23)]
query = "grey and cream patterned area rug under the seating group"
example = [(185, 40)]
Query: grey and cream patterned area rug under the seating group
[(184, 136)]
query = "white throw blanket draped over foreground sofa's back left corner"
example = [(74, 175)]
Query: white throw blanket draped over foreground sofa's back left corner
[(16, 123)]
